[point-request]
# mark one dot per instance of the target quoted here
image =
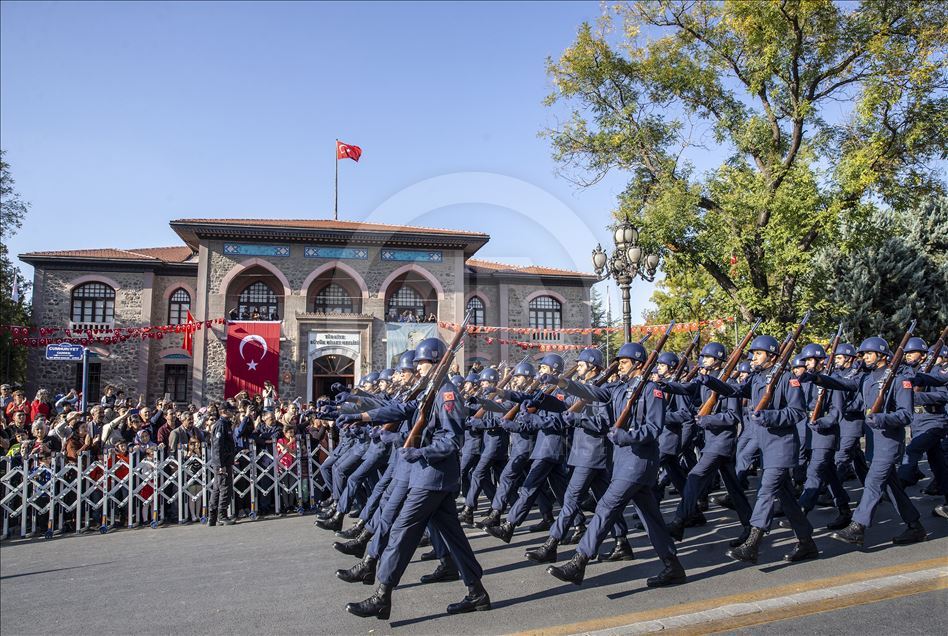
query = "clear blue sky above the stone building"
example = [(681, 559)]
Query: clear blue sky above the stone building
[(117, 118)]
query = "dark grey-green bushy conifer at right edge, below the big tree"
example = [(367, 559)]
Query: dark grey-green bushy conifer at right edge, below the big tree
[(877, 289)]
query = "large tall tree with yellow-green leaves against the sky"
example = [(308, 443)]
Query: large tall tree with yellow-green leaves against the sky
[(823, 113)]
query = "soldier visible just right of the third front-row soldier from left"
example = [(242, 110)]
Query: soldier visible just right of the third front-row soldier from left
[(824, 441)]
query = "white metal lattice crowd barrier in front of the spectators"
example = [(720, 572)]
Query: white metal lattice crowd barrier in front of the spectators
[(148, 488)]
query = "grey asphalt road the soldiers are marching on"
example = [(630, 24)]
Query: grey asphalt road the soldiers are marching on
[(277, 576)]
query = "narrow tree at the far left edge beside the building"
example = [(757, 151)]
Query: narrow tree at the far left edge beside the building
[(12, 211)]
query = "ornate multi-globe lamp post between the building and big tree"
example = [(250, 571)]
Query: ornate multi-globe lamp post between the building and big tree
[(628, 261)]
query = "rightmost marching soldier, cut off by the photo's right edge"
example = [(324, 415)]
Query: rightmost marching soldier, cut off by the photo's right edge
[(929, 421)]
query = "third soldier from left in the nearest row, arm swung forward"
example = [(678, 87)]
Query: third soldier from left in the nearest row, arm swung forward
[(774, 430)]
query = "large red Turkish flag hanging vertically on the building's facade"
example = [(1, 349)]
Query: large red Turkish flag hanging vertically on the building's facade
[(253, 356)]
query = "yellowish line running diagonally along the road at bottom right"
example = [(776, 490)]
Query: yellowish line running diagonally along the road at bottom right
[(745, 597)]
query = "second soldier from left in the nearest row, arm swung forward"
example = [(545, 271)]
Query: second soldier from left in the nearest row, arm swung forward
[(634, 472)]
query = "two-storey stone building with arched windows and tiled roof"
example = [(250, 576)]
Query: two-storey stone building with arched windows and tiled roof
[(340, 290)]
